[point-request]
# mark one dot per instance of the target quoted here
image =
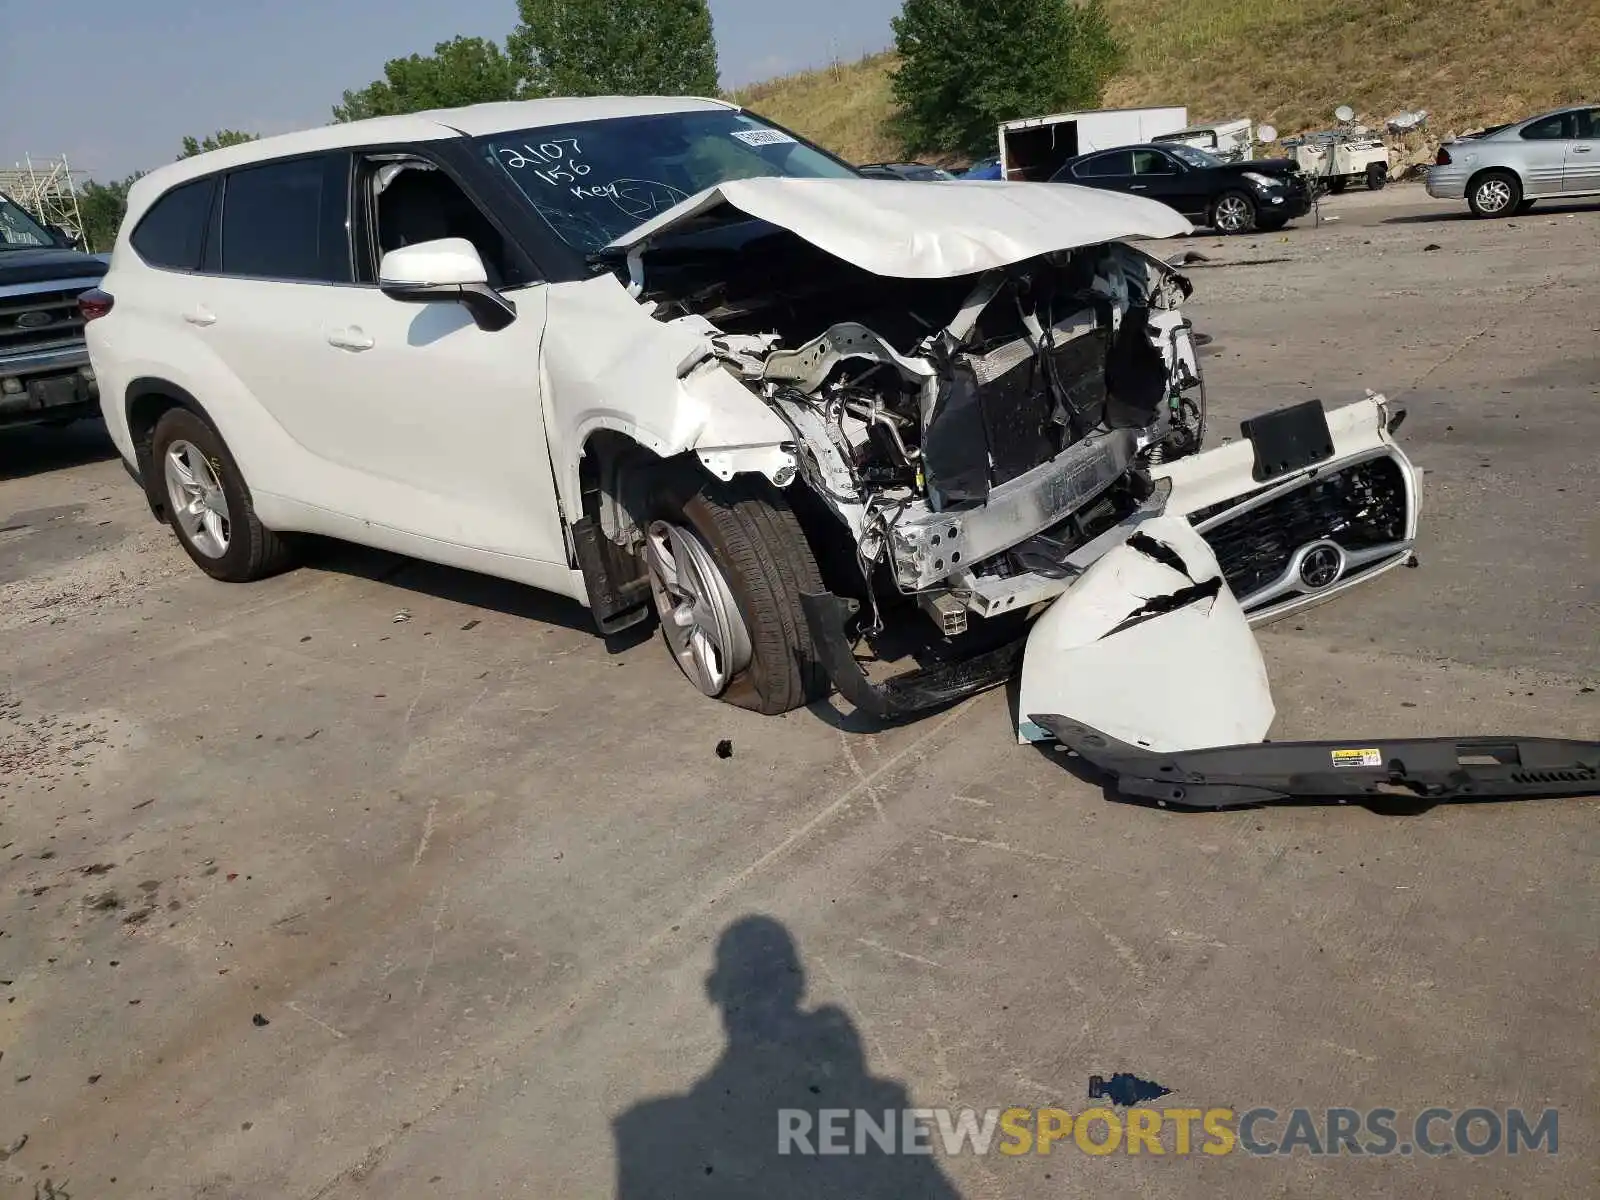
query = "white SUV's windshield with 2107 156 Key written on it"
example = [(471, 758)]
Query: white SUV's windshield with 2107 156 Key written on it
[(594, 182)]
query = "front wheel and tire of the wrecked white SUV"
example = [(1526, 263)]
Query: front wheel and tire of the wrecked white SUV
[(762, 564)]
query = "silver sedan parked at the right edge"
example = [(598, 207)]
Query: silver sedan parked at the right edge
[(1554, 156)]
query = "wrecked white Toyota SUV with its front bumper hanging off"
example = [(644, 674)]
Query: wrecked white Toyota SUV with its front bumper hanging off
[(671, 361)]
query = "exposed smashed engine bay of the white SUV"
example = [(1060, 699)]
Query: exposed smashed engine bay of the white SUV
[(966, 431)]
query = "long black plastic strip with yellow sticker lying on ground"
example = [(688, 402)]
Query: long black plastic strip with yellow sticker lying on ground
[(1430, 769)]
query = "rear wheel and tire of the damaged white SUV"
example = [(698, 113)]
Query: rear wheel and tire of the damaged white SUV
[(246, 550)]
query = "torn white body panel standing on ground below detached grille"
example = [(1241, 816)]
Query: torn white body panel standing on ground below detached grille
[(1182, 681)]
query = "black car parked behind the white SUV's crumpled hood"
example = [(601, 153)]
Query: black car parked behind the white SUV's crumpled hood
[(1231, 198)]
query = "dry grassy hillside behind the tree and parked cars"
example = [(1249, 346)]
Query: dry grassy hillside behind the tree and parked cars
[(1284, 62)]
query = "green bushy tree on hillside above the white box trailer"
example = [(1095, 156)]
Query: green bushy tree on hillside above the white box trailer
[(970, 65)]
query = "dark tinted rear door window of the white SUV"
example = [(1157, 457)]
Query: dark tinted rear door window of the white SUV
[(289, 222)]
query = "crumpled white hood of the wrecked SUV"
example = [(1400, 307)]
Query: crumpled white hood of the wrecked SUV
[(929, 230)]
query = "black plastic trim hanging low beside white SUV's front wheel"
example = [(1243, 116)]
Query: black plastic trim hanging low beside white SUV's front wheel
[(903, 695)]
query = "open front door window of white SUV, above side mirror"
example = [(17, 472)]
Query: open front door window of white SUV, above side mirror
[(417, 202)]
